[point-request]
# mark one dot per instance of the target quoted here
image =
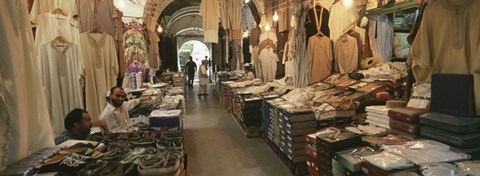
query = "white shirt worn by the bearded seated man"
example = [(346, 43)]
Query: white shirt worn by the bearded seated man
[(117, 119)]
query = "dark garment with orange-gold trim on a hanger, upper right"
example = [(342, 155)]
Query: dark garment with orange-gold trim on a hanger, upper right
[(322, 18)]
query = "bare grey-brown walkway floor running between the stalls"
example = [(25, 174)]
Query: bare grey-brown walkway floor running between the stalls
[(217, 146)]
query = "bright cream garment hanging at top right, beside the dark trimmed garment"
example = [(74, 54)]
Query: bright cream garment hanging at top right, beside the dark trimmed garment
[(340, 19)]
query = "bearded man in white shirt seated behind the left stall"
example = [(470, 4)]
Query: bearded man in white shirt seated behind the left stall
[(116, 112)]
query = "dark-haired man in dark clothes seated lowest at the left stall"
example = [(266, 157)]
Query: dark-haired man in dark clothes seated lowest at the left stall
[(78, 124)]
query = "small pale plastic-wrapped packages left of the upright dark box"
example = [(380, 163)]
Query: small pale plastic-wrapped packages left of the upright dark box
[(421, 96)]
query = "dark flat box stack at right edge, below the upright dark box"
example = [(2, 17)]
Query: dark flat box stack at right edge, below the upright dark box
[(460, 132)]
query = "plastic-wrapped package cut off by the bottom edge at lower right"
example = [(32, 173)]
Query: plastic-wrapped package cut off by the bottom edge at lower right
[(441, 169)]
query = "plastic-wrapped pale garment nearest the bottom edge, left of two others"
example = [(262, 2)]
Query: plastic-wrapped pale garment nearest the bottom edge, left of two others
[(388, 161)]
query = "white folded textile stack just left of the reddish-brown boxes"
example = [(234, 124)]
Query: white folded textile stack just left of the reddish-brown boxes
[(378, 115)]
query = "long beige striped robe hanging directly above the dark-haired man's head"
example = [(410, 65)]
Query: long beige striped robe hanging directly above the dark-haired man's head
[(62, 70)]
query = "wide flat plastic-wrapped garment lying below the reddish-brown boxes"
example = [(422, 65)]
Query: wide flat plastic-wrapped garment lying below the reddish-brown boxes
[(425, 151)]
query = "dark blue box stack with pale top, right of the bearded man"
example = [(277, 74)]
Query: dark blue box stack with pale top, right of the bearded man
[(165, 118)]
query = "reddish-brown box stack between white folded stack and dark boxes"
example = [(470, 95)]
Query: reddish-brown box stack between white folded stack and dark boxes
[(404, 121)]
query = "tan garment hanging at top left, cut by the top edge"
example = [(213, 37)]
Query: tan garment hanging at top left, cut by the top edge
[(96, 13)]
